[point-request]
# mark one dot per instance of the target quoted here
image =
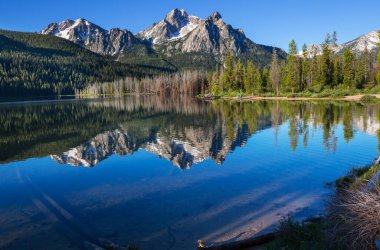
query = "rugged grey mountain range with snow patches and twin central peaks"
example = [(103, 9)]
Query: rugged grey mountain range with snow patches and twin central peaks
[(180, 39)]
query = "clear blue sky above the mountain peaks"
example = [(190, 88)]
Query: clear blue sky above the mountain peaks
[(271, 22)]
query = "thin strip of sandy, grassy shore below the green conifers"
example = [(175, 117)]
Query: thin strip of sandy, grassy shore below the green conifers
[(284, 98)]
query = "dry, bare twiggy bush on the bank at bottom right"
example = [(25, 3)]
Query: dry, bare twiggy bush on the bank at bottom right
[(354, 218)]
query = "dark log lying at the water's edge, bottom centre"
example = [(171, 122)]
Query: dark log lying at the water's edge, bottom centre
[(242, 244)]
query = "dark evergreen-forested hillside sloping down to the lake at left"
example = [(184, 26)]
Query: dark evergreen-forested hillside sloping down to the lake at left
[(35, 64)]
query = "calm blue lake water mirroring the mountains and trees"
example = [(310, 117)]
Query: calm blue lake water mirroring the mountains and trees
[(161, 174)]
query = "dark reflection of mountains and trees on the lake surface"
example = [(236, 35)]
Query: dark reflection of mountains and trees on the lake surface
[(182, 131)]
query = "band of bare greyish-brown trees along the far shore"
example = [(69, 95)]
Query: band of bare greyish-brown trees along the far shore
[(188, 83)]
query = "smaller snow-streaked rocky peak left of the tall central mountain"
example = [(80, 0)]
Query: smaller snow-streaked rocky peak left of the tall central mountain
[(93, 37)]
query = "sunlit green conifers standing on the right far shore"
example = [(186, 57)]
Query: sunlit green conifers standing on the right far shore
[(306, 72)]
